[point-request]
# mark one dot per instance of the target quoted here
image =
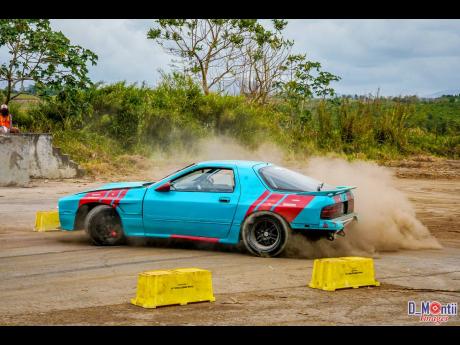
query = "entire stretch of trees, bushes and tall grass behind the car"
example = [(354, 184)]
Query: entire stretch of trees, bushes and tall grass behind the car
[(284, 98)]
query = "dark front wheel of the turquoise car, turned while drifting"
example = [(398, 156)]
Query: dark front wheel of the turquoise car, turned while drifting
[(103, 226)]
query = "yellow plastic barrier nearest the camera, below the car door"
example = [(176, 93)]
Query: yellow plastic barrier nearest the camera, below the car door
[(177, 286)]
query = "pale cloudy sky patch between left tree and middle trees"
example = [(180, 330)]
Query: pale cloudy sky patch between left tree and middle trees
[(124, 51)]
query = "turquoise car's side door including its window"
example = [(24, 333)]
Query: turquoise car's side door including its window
[(200, 203)]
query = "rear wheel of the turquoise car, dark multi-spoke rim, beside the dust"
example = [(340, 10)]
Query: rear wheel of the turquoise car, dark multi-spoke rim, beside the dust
[(265, 234)]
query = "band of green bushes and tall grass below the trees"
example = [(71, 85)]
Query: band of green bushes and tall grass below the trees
[(103, 125)]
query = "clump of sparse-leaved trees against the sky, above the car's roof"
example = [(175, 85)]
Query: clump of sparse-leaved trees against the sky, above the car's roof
[(256, 57)]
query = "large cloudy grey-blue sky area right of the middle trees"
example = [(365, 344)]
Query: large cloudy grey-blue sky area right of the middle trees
[(399, 56)]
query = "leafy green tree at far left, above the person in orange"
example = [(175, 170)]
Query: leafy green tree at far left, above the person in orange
[(40, 55)]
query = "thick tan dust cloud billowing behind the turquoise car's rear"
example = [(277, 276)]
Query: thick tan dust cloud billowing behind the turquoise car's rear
[(387, 219)]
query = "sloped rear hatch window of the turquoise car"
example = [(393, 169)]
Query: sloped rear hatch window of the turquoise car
[(279, 178)]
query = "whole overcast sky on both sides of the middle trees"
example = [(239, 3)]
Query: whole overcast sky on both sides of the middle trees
[(399, 57)]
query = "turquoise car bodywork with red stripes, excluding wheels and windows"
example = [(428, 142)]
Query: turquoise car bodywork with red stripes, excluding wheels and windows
[(144, 211)]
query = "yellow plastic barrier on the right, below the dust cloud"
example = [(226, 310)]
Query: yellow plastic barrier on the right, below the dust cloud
[(340, 273)]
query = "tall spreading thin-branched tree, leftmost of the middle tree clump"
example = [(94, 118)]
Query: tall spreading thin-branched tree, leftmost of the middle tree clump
[(208, 48)]
